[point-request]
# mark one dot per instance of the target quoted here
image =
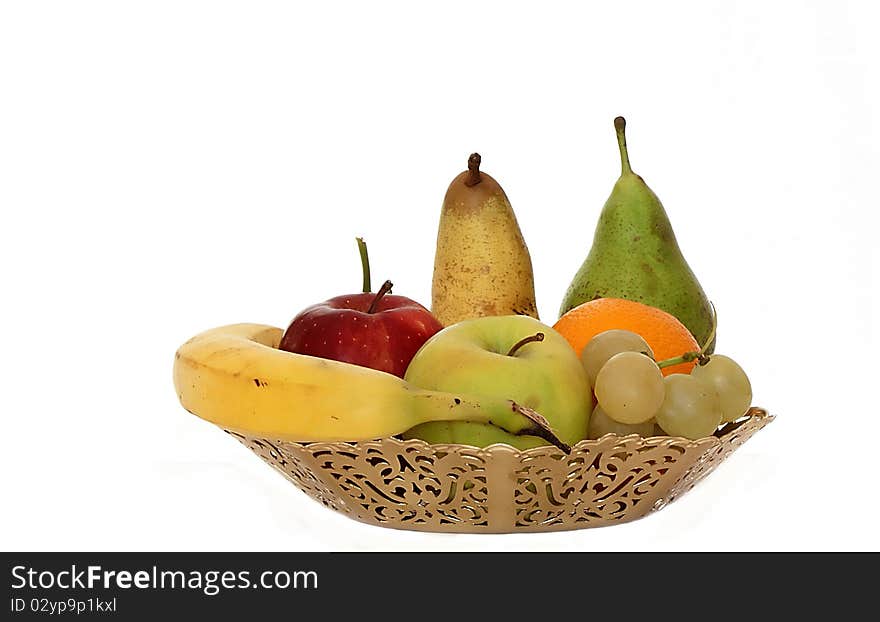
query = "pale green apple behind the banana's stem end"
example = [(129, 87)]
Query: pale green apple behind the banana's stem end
[(511, 356)]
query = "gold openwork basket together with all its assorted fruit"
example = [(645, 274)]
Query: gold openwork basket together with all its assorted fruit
[(375, 366)]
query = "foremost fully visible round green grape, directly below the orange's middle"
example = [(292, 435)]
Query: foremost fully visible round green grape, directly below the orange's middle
[(629, 388)]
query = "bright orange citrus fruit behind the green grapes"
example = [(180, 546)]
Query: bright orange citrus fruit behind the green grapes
[(667, 336)]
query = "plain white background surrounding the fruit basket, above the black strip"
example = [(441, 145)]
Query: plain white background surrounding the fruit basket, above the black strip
[(166, 167)]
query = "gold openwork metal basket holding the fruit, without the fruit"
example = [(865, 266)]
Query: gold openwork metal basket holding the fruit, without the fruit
[(458, 488)]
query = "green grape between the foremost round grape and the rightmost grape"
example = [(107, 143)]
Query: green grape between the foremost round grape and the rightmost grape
[(691, 408)]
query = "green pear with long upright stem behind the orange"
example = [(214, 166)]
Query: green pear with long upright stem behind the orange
[(635, 256)]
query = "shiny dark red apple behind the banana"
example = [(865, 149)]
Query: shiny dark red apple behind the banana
[(378, 330)]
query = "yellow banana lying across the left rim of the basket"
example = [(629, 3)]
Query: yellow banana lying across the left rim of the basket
[(236, 377)]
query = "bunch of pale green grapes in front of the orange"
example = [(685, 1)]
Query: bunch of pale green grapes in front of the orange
[(634, 397)]
